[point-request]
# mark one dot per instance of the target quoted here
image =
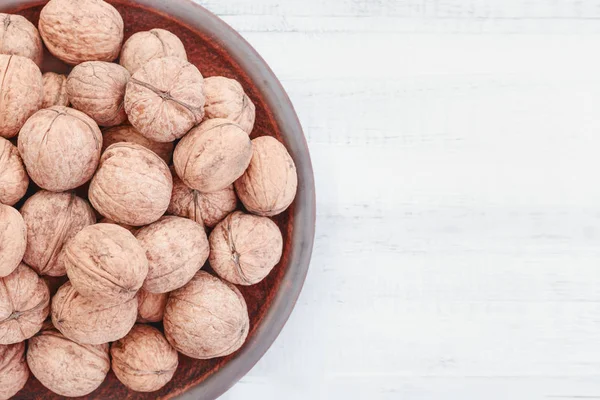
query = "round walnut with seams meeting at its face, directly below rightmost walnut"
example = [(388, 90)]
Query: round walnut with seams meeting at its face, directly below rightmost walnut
[(244, 248)]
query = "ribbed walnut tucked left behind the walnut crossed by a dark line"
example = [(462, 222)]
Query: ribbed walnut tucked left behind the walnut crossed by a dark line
[(97, 88)]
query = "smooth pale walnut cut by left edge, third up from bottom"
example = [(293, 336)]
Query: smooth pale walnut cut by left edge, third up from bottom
[(13, 239)]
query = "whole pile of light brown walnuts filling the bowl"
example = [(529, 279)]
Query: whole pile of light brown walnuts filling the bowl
[(168, 158)]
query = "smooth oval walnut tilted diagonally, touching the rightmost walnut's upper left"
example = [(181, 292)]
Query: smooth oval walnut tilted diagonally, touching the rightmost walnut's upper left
[(213, 155)]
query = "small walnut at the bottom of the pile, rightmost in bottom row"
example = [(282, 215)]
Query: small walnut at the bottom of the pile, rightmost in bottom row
[(143, 360)]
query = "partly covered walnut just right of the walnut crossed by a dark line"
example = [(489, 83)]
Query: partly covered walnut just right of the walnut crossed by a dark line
[(225, 98)]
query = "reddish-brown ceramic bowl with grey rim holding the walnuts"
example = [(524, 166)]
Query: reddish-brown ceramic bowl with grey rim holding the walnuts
[(216, 49)]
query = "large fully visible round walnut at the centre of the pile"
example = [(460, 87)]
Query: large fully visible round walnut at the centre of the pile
[(132, 185)]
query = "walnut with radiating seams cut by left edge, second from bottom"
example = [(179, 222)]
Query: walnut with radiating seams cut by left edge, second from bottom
[(24, 305)]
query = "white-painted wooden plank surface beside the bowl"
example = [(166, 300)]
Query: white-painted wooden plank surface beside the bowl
[(456, 147)]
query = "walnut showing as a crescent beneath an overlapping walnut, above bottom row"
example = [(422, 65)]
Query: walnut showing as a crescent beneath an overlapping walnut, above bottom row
[(88, 322)]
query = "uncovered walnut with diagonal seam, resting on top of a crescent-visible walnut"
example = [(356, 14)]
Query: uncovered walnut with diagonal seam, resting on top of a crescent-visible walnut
[(106, 263)]
